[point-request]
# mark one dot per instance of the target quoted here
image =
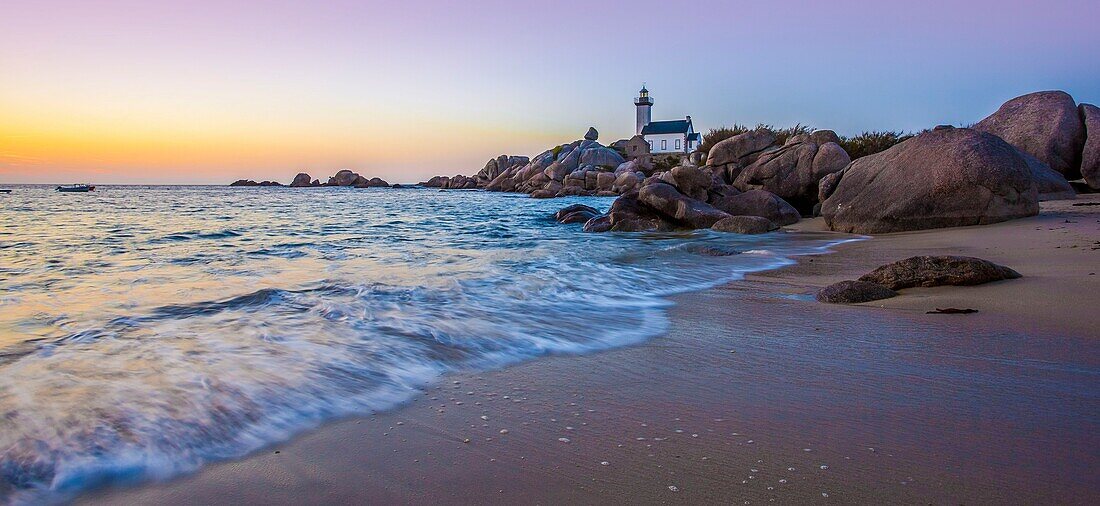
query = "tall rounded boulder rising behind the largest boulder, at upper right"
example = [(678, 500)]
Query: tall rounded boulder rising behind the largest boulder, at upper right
[(1047, 125)]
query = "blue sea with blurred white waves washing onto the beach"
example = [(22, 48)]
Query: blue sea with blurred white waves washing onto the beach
[(146, 332)]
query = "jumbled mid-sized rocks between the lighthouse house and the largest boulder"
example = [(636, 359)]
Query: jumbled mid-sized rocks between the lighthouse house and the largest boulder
[(751, 184)]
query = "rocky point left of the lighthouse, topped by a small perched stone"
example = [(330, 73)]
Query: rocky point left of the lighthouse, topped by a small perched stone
[(582, 168)]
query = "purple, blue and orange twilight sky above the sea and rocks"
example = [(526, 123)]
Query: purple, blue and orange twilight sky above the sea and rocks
[(212, 92)]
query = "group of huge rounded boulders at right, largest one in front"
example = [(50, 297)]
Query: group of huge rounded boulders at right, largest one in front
[(999, 170)]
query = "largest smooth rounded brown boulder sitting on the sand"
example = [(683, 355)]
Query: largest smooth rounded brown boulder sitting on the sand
[(944, 178)]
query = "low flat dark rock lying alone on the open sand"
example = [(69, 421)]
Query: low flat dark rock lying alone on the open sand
[(938, 271)]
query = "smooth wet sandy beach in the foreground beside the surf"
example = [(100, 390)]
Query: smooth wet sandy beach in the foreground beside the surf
[(757, 394)]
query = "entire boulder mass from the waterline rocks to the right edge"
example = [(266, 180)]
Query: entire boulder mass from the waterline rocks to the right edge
[(997, 171)]
